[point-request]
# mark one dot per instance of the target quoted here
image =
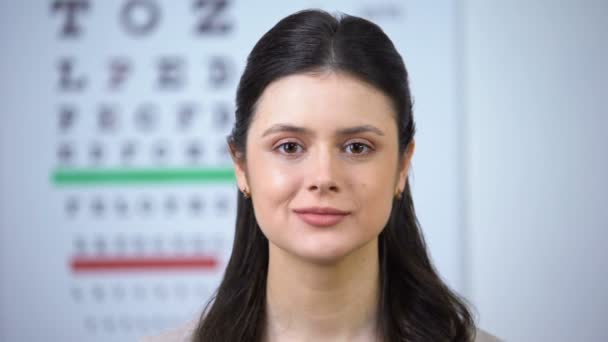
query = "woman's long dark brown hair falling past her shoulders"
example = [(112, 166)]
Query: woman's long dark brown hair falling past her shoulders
[(415, 304)]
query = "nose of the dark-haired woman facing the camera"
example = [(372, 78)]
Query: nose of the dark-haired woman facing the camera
[(324, 172)]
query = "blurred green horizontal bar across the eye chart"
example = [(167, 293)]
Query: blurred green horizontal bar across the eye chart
[(142, 176)]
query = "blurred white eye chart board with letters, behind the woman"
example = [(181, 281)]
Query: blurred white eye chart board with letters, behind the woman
[(118, 195)]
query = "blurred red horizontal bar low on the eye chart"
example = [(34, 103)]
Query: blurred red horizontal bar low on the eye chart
[(108, 264)]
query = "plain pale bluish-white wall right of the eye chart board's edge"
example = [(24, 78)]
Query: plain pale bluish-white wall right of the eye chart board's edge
[(536, 82)]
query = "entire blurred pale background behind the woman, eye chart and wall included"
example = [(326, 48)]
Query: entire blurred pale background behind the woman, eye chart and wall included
[(118, 197)]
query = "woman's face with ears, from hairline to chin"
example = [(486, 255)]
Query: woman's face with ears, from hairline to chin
[(322, 165)]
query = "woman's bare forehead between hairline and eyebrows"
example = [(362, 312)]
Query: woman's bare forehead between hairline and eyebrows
[(328, 100)]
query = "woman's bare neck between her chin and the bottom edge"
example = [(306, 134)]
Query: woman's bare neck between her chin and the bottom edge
[(312, 302)]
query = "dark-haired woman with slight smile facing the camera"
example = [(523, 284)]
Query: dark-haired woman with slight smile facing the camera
[(327, 245)]
